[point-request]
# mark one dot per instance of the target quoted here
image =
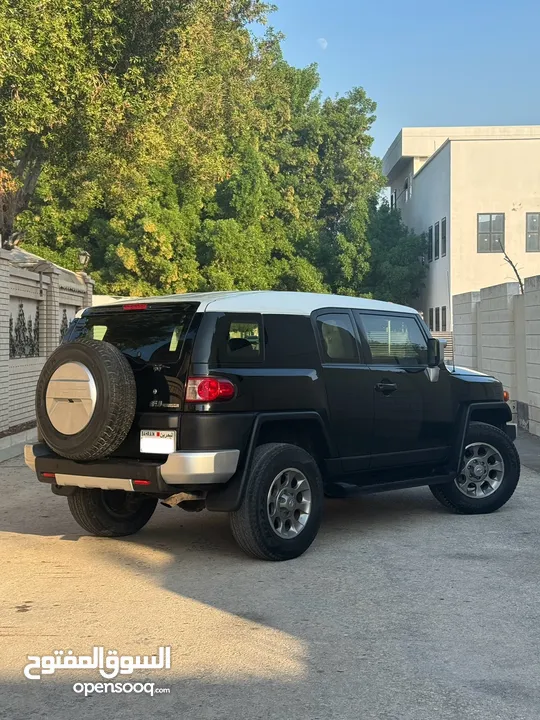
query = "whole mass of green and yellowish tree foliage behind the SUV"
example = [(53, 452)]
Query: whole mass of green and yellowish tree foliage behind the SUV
[(184, 153)]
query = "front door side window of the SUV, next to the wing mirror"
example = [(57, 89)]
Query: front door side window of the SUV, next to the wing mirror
[(395, 340)]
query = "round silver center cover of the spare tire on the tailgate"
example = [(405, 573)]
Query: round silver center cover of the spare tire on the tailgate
[(71, 398)]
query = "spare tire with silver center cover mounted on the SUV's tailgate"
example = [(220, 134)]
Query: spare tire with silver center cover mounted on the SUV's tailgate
[(85, 400)]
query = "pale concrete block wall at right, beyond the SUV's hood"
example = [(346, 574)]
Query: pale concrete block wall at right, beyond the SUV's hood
[(497, 331)]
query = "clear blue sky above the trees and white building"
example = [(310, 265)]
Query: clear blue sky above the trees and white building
[(425, 62)]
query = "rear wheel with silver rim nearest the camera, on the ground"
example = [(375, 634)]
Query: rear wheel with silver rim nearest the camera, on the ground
[(284, 529)]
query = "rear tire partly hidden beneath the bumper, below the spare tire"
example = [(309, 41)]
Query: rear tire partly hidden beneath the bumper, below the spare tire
[(111, 513)]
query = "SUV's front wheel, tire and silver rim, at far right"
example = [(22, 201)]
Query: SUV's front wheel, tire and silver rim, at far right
[(470, 495)]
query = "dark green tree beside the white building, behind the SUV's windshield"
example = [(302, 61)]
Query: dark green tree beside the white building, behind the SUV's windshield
[(397, 270)]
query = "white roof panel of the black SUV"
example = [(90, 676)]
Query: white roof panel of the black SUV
[(272, 302)]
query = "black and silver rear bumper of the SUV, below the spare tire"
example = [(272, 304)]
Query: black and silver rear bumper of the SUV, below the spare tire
[(196, 470)]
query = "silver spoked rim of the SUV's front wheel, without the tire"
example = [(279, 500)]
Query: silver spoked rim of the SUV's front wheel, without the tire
[(482, 472)]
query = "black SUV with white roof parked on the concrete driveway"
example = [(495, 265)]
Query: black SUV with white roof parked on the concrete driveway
[(259, 404)]
